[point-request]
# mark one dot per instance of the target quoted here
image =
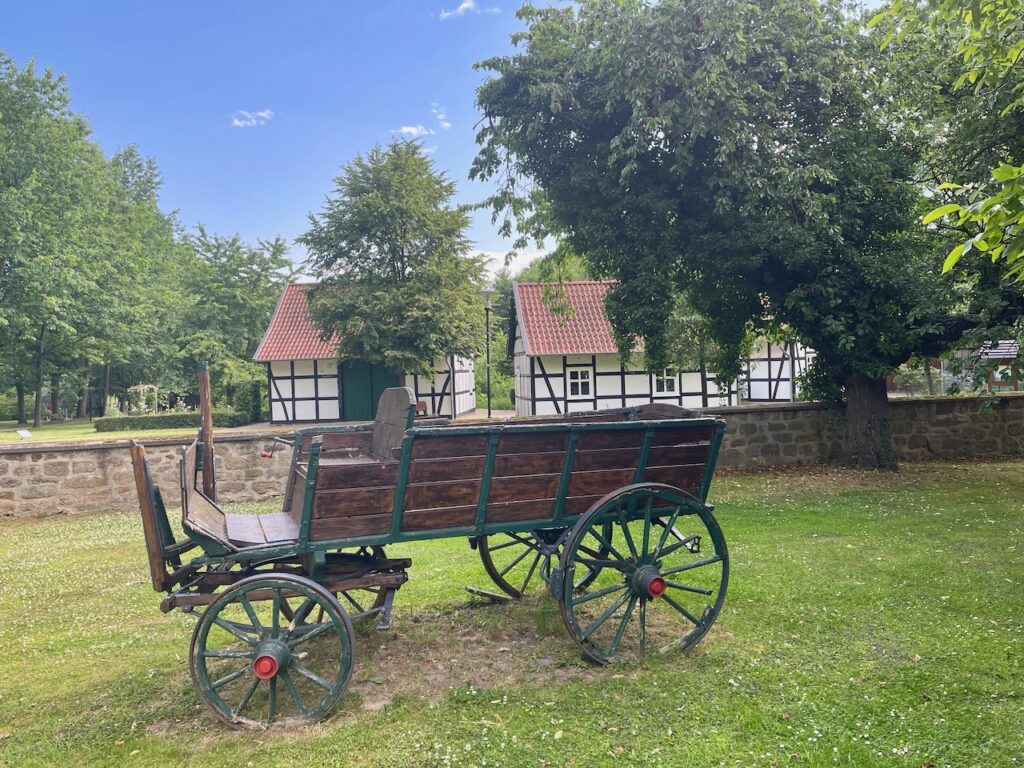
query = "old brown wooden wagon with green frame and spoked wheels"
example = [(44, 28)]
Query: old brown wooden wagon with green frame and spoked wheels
[(609, 509)]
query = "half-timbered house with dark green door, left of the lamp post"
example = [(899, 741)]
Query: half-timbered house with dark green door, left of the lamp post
[(308, 383)]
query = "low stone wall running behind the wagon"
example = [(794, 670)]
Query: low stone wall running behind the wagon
[(50, 480)]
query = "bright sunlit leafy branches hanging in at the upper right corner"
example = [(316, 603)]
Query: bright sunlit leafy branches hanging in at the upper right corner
[(982, 46)]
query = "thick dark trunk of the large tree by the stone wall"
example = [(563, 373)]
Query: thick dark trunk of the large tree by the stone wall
[(870, 444)]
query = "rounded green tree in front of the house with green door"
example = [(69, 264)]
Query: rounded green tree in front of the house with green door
[(397, 285)]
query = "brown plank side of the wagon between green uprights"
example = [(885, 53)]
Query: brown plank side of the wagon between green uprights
[(446, 478)]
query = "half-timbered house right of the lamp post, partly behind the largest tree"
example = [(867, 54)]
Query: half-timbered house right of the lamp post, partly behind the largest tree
[(569, 363)]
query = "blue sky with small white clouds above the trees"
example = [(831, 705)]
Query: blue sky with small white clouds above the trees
[(250, 109)]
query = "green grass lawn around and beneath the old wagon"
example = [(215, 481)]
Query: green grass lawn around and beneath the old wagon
[(871, 621)]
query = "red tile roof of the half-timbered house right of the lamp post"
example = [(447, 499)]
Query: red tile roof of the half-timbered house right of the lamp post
[(586, 332)]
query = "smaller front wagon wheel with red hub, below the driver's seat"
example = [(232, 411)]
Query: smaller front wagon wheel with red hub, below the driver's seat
[(254, 667)]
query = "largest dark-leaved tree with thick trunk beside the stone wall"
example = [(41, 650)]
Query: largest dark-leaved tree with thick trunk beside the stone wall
[(743, 156)]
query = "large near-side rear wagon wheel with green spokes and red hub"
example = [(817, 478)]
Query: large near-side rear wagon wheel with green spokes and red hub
[(661, 583)]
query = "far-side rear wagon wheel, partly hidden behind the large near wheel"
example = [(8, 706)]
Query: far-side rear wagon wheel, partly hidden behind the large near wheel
[(515, 561)]
